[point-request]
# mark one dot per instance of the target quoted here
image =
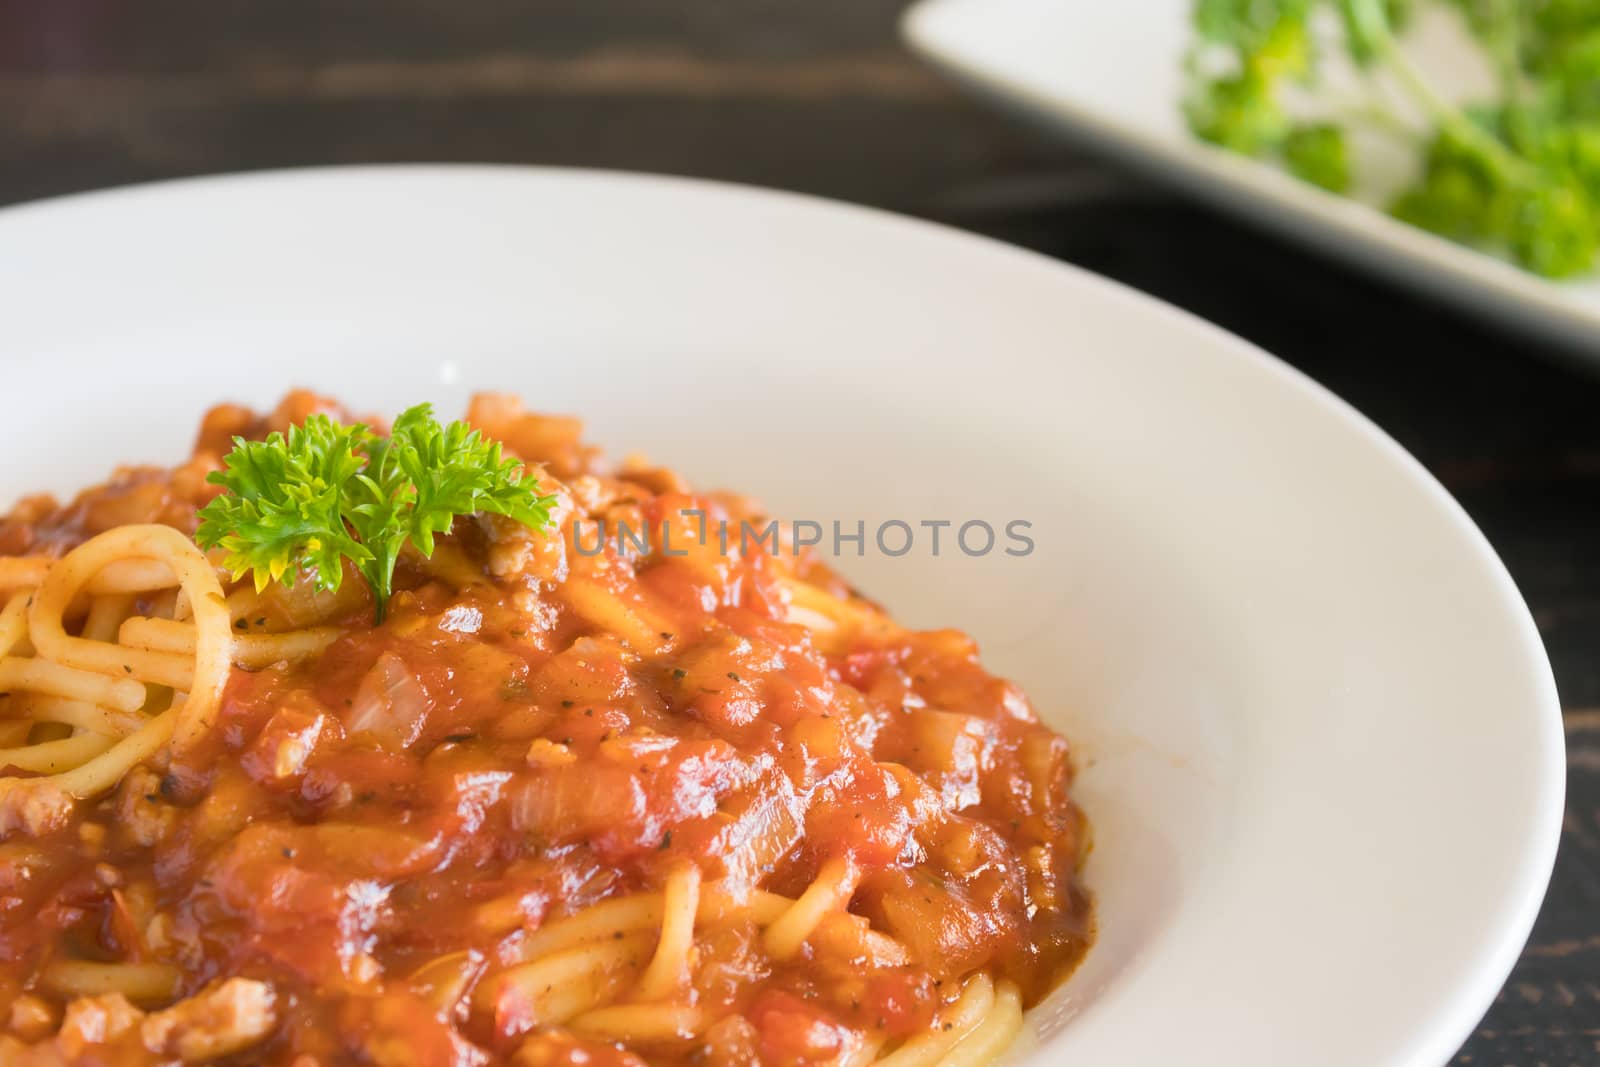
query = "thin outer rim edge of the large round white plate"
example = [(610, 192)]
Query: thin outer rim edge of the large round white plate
[(1474, 991)]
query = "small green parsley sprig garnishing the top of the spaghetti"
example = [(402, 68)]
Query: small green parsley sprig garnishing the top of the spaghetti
[(324, 494)]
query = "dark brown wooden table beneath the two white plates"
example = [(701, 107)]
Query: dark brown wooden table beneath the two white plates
[(815, 95)]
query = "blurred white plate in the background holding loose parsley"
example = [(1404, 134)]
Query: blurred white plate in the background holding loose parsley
[(1111, 74)]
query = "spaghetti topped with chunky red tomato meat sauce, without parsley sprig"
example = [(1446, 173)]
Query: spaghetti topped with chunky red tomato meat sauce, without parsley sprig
[(646, 804)]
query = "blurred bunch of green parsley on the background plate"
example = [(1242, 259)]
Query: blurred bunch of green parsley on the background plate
[(1518, 175)]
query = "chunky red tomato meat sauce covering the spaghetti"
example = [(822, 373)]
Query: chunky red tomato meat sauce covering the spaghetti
[(489, 761)]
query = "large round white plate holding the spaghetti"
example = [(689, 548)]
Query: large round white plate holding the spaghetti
[(1322, 746)]
